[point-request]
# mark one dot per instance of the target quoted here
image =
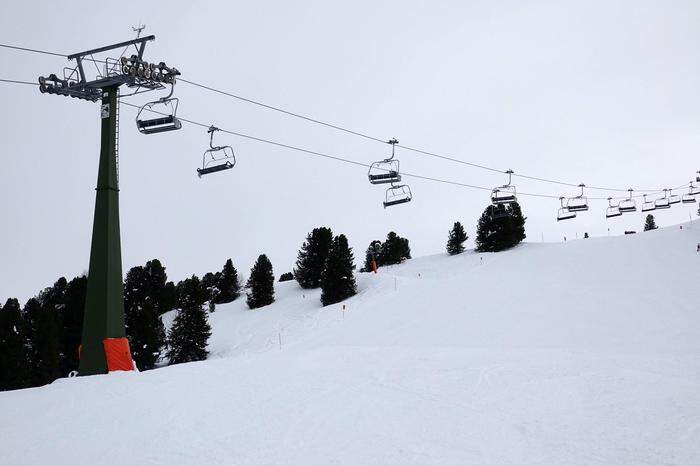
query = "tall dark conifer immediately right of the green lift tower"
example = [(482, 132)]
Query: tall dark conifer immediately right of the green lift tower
[(143, 289)]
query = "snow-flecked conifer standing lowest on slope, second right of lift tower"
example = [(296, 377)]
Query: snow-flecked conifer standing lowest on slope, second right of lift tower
[(188, 337)]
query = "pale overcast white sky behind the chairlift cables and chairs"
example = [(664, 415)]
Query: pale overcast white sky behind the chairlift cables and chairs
[(601, 92)]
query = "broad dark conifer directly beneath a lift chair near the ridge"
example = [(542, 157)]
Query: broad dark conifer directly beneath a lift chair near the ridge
[(497, 233)]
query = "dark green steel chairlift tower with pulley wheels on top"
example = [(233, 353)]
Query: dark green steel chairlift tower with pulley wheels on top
[(104, 304)]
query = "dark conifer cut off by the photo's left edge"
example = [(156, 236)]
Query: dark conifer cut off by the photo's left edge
[(14, 360)]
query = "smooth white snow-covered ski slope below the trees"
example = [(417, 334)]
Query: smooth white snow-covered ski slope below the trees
[(580, 353)]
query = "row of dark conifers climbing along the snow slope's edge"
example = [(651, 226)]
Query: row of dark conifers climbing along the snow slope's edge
[(40, 341)]
